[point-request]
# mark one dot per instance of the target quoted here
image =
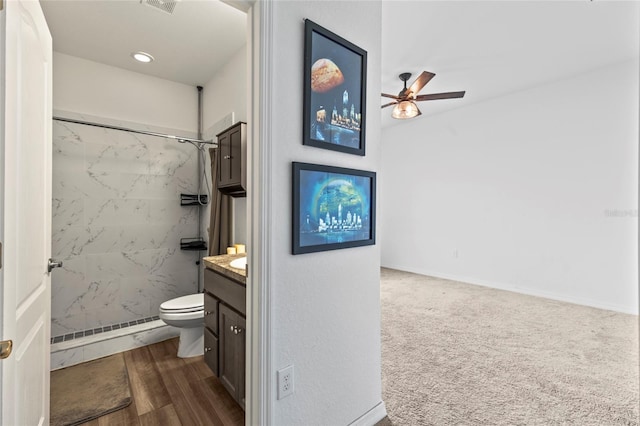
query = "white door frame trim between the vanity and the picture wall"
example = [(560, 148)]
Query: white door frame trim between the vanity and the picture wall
[(258, 378)]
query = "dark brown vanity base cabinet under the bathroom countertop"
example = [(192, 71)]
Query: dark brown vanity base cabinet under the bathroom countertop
[(225, 335)]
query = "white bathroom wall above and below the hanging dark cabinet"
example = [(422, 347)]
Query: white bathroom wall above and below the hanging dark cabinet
[(224, 94)]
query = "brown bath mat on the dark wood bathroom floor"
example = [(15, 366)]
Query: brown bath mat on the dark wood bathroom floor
[(89, 390)]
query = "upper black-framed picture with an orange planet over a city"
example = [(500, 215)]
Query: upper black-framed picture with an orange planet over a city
[(335, 80)]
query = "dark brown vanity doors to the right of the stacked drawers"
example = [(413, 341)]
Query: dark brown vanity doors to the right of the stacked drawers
[(232, 352)]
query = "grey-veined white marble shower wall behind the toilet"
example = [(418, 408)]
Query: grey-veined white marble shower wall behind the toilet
[(117, 224)]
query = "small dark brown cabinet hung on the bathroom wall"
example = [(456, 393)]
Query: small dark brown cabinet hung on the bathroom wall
[(232, 160)]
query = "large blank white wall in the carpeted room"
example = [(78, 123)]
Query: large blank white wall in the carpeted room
[(534, 192)]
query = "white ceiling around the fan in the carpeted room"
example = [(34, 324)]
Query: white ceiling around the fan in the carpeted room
[(491, 49)]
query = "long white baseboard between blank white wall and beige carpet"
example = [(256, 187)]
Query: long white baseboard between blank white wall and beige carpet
[(517, 289)]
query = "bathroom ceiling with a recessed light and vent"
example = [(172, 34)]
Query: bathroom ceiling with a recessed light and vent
[(189, 45)]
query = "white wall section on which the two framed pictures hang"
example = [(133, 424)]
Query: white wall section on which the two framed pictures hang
[(325, 307)]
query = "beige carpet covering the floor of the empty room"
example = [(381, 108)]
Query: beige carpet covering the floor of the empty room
[(458, 354)]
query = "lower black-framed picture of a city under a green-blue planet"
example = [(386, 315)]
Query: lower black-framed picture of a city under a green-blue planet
[(333, 208)]
